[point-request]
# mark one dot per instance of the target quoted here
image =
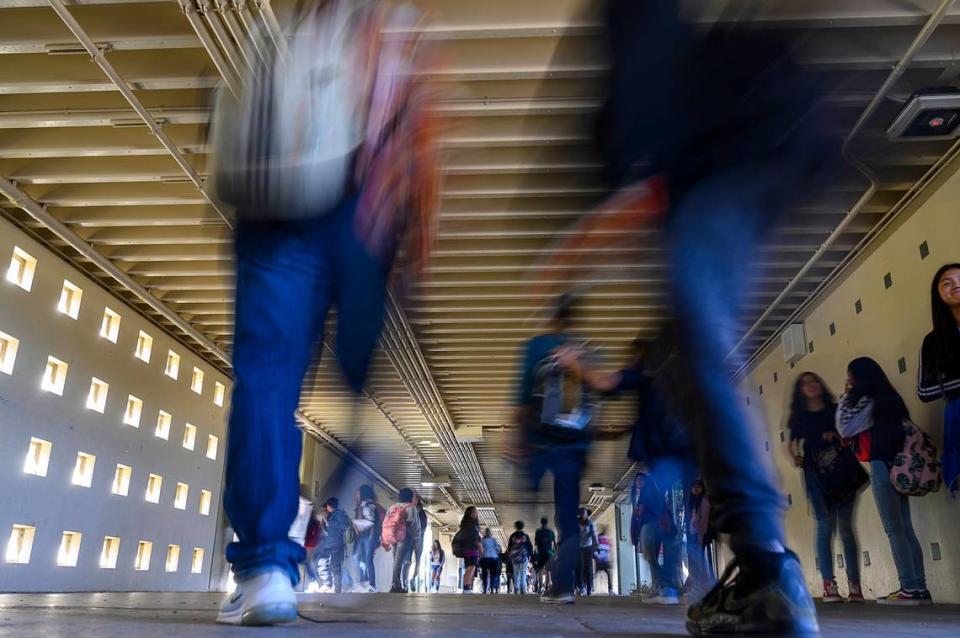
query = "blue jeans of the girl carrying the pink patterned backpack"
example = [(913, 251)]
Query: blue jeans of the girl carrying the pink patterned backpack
[(894, 509)]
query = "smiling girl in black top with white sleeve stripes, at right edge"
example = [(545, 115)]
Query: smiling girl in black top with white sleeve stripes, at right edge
[(939, 375)]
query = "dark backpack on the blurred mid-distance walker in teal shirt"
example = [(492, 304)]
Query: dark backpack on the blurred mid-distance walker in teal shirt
[(563, 404)]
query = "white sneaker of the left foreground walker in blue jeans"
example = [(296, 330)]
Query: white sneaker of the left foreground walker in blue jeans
[(265, 599)]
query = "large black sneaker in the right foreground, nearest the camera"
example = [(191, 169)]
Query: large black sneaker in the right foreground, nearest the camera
[(766, 596)]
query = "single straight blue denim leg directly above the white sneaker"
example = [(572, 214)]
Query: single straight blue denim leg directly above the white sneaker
[(281, 297)]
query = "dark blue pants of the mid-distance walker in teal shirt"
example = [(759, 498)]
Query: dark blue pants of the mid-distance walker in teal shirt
[(566, 464)]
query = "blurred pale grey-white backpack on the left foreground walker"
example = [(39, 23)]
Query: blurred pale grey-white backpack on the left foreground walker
[(284, 145)]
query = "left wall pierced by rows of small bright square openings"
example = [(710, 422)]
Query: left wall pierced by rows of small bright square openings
[(52, 504)]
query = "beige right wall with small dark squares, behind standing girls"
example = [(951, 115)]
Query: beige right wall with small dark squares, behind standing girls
[(890, 328)]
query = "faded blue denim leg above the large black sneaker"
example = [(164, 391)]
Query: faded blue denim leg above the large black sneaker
[(714, 232)]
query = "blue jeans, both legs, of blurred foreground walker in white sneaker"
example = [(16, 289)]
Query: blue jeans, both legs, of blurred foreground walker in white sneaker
[(288, 276)]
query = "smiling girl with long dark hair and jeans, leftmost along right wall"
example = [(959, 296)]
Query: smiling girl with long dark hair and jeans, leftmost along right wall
[(812, 432)]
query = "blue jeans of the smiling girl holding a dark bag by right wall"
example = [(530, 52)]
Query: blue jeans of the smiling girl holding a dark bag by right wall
[(831, 515)]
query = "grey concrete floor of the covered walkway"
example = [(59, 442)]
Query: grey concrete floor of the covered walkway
[(148, 615)]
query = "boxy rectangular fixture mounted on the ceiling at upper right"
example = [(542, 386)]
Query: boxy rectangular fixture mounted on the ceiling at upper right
[(932, 114)]
